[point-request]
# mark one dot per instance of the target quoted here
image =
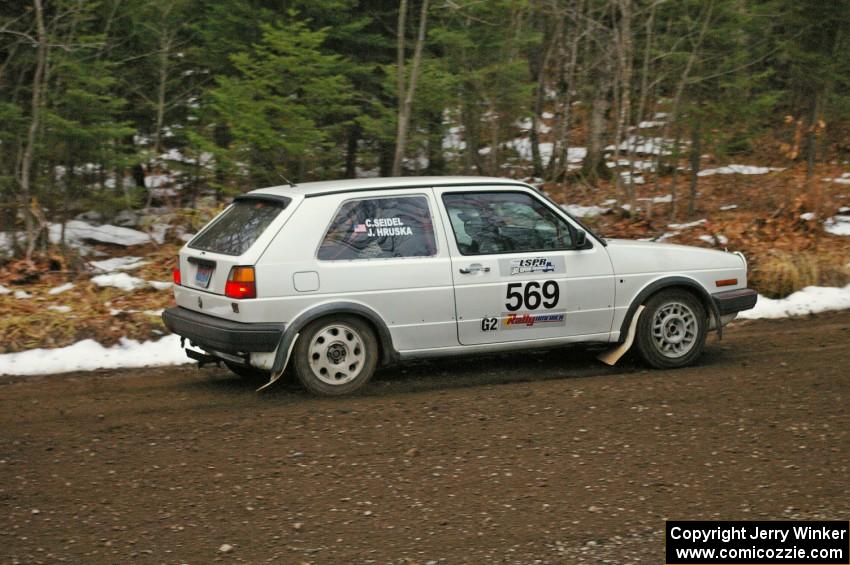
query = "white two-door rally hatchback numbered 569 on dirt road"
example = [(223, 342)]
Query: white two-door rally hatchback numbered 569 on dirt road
[(337, 277)]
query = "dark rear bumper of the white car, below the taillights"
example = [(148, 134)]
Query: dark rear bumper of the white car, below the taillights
[(217, 334)]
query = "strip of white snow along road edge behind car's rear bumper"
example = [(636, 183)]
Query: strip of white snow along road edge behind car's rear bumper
[(88, 355)]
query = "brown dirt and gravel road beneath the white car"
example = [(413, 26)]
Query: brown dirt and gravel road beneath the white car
[(547, 457)]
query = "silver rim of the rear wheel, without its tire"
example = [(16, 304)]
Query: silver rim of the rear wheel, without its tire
[(337, 354)]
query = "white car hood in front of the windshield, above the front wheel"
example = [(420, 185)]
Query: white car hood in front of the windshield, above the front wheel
[(630, 256)]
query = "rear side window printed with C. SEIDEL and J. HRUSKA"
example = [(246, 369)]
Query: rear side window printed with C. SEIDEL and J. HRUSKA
[(380, 228)]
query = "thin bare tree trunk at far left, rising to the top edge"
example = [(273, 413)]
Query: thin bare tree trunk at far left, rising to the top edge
[(29, 147)]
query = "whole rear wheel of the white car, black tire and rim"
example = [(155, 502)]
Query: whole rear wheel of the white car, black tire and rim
[(335, 355)]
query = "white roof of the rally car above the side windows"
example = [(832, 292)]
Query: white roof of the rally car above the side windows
[(311, 189)]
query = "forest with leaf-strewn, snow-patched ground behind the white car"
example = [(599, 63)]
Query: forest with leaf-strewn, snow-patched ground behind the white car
[(721, 123)]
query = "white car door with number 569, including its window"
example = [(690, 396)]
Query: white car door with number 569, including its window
[(517, 274)]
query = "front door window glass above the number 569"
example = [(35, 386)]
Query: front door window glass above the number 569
[(487, 223)]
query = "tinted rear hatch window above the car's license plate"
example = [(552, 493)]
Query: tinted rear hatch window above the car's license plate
[(238, 227)]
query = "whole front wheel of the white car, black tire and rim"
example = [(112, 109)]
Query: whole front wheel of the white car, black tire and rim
[(667, 317)]
